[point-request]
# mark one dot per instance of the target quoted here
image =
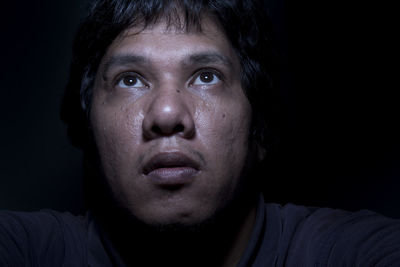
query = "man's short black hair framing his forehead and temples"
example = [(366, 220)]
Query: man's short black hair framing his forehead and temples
[(243, 21)]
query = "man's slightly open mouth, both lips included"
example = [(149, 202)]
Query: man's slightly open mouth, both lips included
[(171, 169)]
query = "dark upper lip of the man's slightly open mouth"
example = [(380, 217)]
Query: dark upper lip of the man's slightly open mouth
[(169, 159)]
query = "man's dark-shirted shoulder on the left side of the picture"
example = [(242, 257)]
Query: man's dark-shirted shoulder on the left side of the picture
[(46, 237)]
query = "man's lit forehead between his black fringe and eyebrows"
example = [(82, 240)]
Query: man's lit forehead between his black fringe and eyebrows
[(163, 42)]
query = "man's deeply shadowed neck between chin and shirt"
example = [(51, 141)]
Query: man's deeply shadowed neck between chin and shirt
[(218, 243)]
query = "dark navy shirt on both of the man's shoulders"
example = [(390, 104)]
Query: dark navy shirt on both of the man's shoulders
[(282, 236)]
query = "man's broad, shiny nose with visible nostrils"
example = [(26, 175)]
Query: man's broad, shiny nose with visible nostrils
[(168, 114)]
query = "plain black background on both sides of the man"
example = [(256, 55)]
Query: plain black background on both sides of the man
[(339, 138)]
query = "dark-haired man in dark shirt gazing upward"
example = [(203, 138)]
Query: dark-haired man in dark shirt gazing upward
[(165, 98)]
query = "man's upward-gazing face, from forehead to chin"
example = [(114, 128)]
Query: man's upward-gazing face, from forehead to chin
[(171, 122)]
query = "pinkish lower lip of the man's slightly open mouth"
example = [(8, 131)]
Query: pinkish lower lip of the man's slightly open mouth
[(172, 176)]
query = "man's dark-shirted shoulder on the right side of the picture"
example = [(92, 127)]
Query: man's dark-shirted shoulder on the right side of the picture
[(331, 237)]
